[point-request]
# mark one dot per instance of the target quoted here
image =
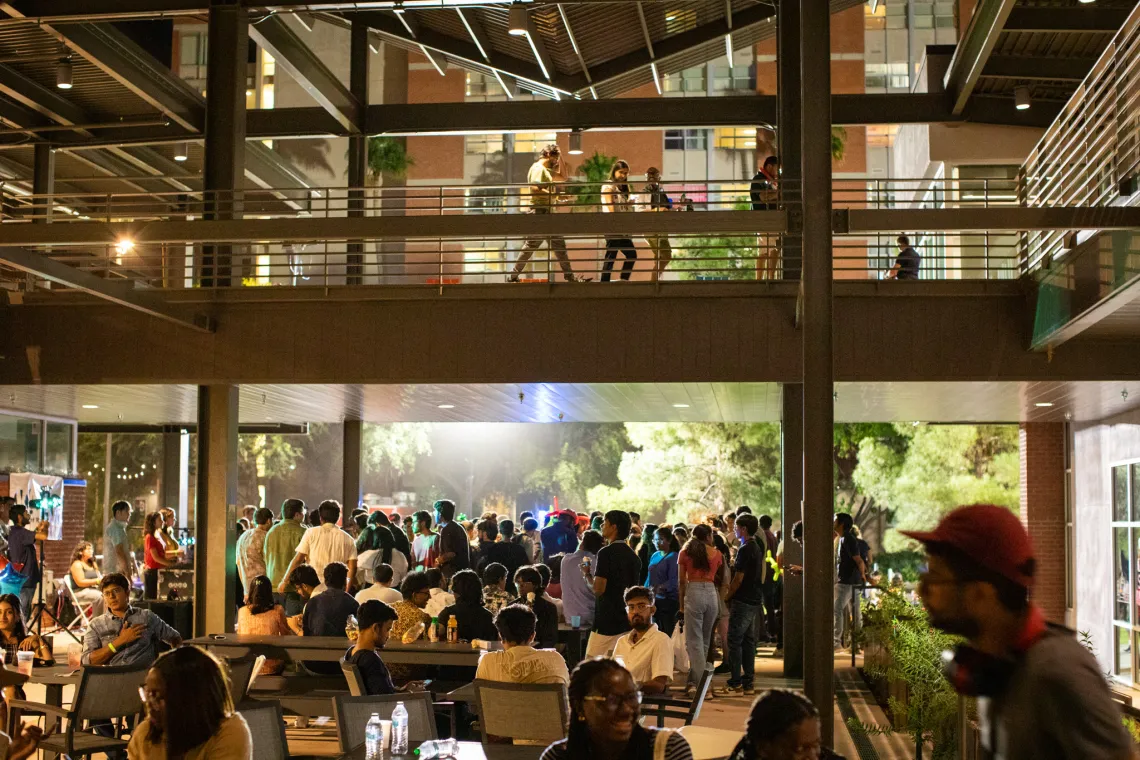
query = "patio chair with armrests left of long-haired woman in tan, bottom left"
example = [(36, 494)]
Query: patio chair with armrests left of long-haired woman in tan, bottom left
[(104, 694)]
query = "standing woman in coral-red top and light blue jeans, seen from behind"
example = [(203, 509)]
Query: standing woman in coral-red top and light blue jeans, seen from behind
[(699, 570)]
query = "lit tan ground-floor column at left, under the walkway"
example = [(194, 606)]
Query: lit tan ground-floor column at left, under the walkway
[(216, 512)]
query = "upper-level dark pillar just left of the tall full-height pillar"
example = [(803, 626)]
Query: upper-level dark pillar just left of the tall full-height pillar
[(788, 104)]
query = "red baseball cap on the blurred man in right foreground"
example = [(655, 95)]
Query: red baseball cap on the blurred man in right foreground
[(989, 535)]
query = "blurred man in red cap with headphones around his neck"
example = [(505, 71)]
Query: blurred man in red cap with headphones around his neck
[(1040, 692)]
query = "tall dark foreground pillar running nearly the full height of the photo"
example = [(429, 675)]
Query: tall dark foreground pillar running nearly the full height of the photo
[(819, 410)]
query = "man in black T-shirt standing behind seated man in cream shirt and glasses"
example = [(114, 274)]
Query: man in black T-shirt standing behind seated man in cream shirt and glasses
[(617, 570)]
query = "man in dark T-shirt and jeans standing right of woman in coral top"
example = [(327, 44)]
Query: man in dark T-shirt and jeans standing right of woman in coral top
[(745, 599)]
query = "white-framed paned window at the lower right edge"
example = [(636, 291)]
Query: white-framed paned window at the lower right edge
[(1126, 485)]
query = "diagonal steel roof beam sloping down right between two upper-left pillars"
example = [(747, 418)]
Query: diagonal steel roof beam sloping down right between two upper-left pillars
[(311, 72)]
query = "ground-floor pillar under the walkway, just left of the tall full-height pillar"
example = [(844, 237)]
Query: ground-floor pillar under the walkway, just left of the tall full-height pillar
[(792, 461)]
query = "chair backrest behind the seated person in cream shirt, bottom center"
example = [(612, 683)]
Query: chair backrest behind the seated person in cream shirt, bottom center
[(547, 708)]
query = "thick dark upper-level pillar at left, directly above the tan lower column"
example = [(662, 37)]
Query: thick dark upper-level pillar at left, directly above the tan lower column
[(225, 145)]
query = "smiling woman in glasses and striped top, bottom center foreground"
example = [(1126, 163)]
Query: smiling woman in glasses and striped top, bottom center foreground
[(605, 705)]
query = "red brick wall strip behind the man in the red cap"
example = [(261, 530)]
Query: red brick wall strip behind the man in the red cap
[(1043, 453)]
